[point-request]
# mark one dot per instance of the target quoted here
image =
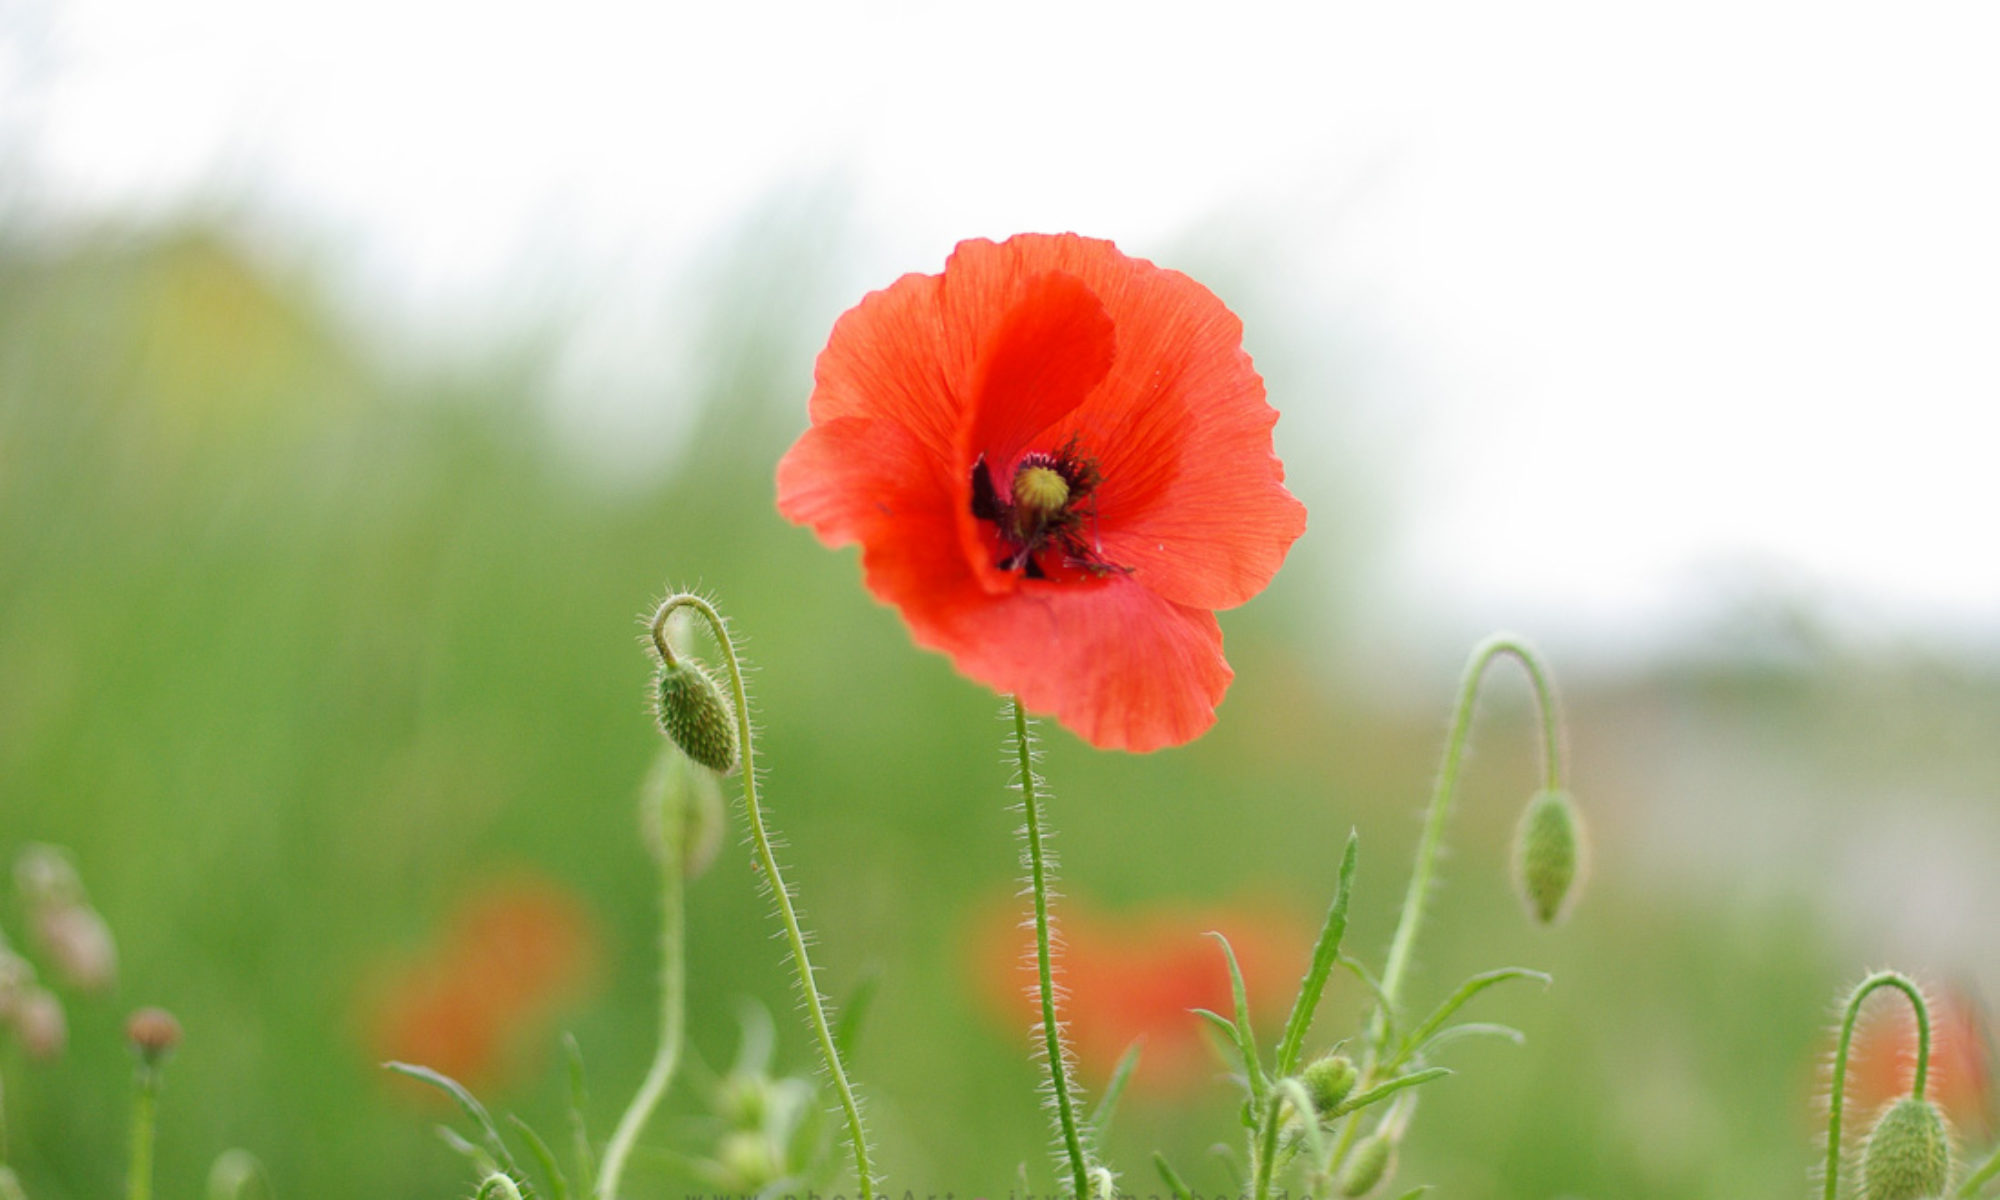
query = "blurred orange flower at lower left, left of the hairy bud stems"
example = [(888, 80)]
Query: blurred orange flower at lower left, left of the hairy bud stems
[(511, 955)]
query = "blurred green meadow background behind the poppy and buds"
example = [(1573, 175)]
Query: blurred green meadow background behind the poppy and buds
[(307, 647)]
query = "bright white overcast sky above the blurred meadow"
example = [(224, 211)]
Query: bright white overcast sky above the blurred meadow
[(1637, 291)]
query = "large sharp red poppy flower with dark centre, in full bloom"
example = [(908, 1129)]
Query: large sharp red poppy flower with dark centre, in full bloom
[(1059, 465)]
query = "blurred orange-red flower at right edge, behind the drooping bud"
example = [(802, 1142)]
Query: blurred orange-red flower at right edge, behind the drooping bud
[(1883, 1061)]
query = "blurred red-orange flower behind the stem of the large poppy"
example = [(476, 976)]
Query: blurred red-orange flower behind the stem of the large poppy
[(1141, 977)]
